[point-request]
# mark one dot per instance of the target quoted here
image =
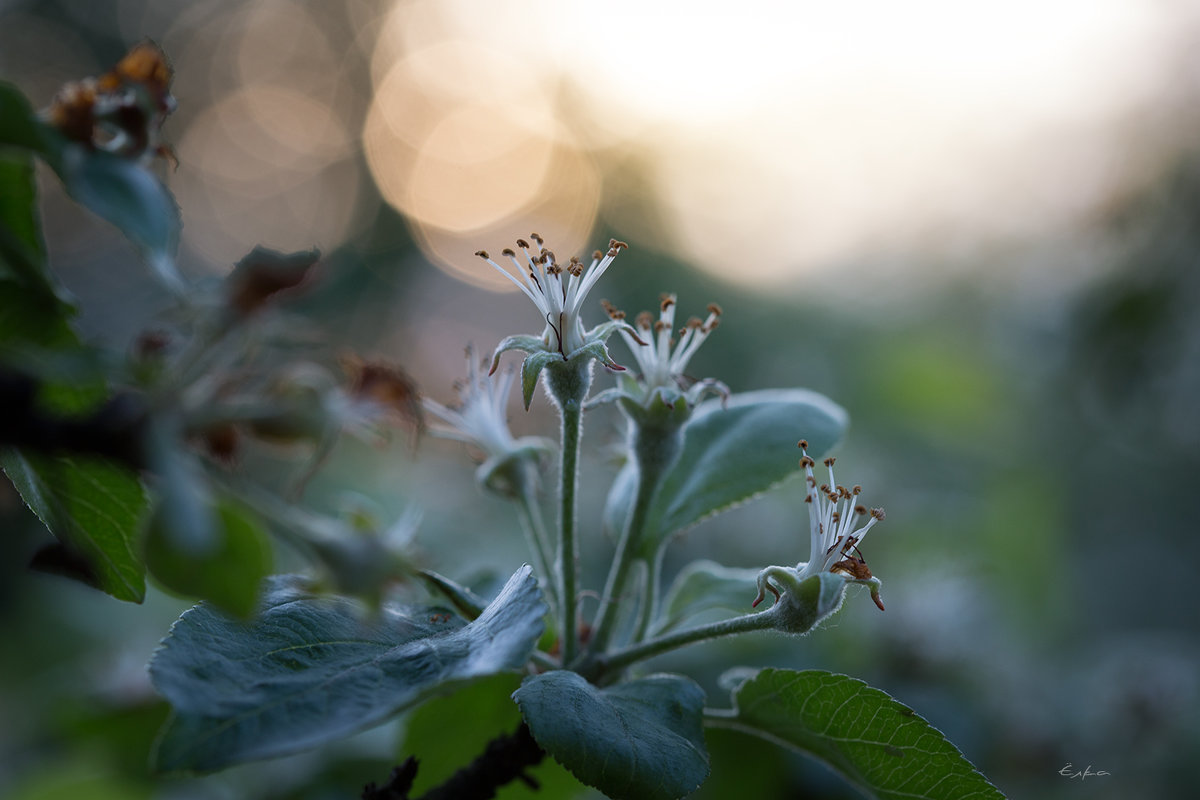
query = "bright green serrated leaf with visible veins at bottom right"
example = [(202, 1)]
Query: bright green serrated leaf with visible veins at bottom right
[(875, 742)]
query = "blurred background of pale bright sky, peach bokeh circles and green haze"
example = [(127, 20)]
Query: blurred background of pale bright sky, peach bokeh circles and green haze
[(976, 226)]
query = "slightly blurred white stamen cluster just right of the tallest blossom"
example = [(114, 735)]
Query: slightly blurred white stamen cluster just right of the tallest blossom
[(662, 359)]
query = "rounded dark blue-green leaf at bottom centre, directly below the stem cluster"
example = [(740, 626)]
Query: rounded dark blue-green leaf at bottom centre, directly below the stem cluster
[(640, 741)]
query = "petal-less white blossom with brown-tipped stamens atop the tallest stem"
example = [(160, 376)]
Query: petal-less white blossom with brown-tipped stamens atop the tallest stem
[(556, 290)]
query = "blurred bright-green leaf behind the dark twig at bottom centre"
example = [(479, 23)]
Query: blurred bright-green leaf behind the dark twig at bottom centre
[(448, 732)]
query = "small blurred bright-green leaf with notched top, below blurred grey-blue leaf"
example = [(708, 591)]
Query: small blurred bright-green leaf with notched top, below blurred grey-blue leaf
[(230, 575)]
